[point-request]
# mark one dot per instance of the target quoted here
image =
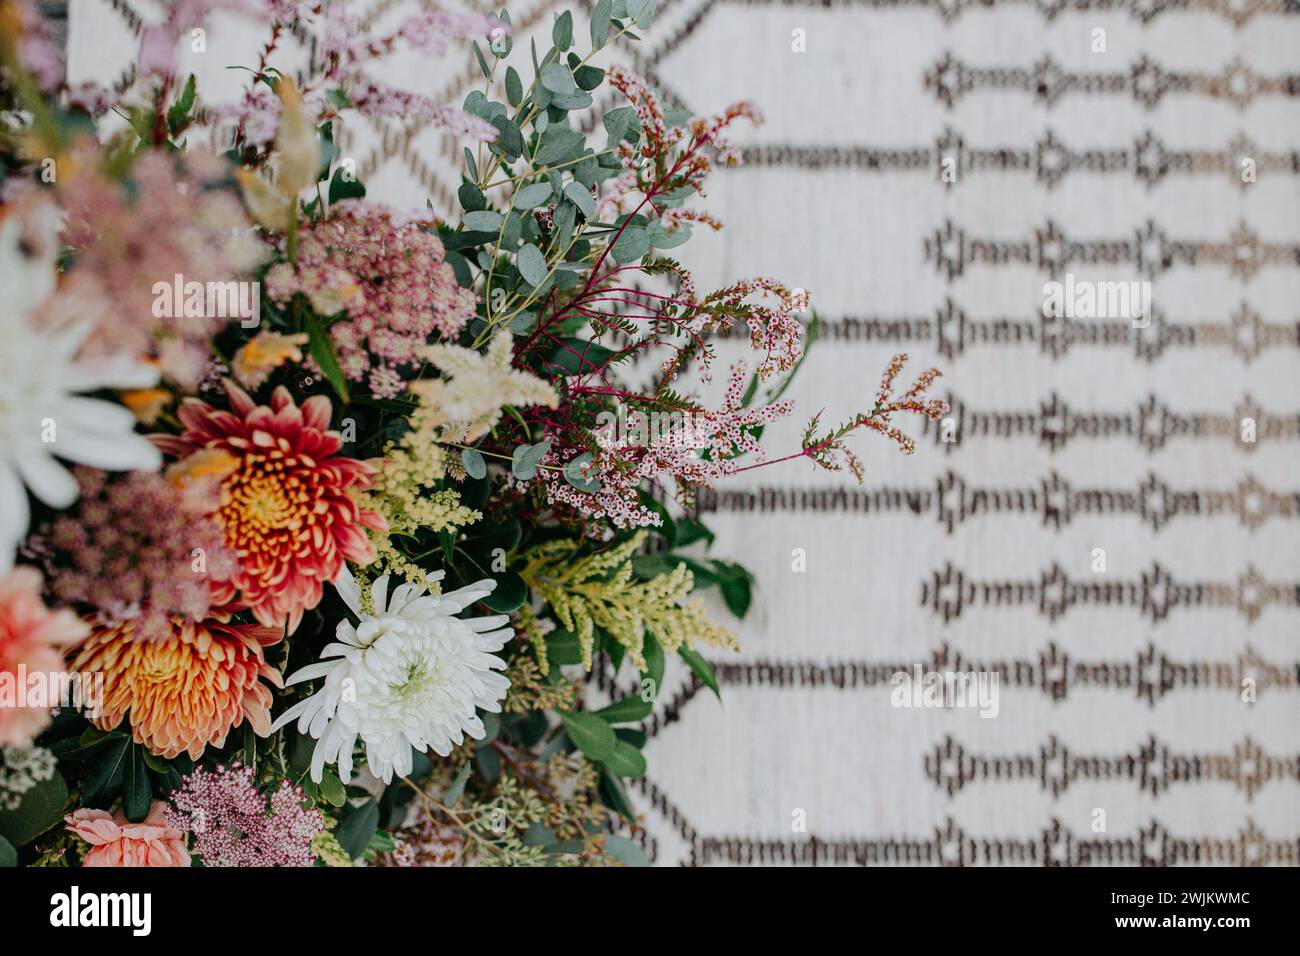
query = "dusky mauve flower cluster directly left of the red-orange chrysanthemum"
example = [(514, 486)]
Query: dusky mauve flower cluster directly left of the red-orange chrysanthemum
[(137, 550)]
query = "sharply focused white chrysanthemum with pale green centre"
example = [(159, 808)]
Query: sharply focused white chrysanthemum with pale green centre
[(410, 676)]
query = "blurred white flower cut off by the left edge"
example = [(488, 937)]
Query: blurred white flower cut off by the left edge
[(41, 414)]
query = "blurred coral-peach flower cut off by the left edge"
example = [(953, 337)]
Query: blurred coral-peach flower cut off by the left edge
[(31, 635)]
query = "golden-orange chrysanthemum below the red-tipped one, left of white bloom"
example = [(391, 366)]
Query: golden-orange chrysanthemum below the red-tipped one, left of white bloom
[(188, 691)]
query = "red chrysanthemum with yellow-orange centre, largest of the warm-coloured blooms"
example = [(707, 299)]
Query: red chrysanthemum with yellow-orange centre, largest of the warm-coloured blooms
[(287, 505)]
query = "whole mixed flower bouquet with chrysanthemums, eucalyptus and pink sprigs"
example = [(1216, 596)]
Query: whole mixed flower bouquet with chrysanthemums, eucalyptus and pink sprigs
[(319, 516)]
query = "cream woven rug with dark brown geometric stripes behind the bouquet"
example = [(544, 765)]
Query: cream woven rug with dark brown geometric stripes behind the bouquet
[(1120, 690)]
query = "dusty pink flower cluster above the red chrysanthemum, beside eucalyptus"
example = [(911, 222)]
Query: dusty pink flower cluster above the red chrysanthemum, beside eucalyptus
[(395, 282)]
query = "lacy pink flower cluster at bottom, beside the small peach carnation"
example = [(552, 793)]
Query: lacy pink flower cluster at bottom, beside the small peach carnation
[(236, 825)]
